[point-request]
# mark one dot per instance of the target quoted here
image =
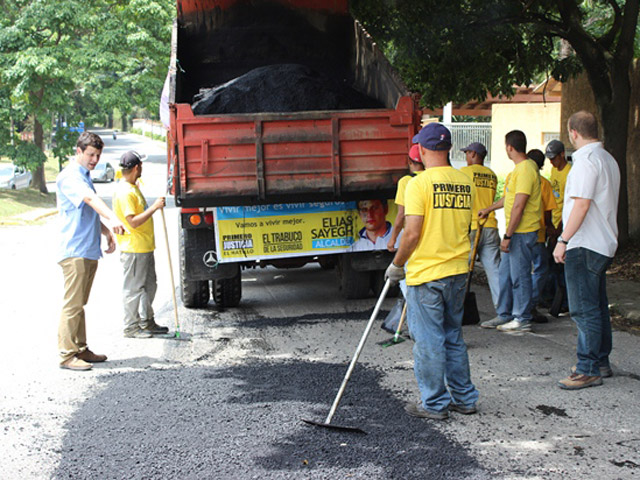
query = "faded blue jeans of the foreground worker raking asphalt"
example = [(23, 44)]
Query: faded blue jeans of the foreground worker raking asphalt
[(441, 362)]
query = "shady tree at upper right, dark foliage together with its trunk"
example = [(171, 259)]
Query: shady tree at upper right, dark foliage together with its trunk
[(459, 51)]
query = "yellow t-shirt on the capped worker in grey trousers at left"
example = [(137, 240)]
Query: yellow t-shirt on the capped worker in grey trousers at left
[(128, 200)]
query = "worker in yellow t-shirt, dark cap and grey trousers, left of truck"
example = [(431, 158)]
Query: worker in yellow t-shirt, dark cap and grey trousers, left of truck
[(136, 250)]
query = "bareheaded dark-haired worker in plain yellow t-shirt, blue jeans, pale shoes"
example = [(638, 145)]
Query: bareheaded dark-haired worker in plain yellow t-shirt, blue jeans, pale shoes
[(522, 205)]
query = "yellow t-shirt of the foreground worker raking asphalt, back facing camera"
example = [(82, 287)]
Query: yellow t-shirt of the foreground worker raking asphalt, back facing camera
[(444, 197)]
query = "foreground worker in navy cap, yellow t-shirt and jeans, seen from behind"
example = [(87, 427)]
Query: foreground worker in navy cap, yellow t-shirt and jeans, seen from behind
[(435, 247)]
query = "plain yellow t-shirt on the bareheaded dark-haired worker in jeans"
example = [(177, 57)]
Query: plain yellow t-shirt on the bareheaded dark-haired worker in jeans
[(525, 178)]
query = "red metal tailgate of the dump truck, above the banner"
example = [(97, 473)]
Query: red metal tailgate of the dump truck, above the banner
[(290, 157)]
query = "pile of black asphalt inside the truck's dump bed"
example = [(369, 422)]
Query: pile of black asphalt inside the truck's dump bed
[(280, 88)]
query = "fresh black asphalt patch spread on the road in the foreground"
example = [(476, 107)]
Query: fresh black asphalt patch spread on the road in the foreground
[(244, 422)]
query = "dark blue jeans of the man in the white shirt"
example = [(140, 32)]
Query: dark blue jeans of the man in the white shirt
[(585, 272)]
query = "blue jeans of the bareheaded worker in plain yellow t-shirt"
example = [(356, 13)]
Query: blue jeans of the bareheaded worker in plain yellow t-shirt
[(514, 301)]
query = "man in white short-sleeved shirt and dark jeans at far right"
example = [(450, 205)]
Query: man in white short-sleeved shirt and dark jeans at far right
[(586, 246)]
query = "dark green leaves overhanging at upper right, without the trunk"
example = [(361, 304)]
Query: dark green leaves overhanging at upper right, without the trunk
[(459, 51)]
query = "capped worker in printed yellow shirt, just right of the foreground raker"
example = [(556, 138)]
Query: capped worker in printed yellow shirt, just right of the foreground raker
[(486, 183)]
